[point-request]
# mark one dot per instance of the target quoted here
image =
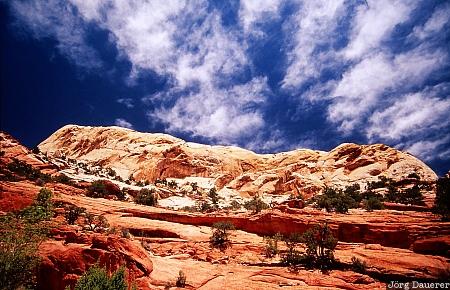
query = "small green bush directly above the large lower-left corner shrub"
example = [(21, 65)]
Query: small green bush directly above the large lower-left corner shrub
[(41, 208)]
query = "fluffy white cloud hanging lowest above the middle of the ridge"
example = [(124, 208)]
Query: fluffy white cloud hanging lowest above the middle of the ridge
[(222, 115)]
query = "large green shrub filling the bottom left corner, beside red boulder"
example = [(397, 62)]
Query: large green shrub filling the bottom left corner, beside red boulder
[(19, 243)]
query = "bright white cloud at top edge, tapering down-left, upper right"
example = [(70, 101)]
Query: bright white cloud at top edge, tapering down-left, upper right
[(374, 22)]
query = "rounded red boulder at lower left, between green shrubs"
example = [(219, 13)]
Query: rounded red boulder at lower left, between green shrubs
[(65, 259)]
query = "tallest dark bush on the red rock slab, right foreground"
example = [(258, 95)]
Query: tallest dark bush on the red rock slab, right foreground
[(320, 244)]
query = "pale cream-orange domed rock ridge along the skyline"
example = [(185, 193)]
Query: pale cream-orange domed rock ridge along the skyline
[(155, 156)]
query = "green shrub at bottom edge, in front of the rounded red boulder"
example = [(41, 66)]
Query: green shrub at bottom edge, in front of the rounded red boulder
[(97, 278)]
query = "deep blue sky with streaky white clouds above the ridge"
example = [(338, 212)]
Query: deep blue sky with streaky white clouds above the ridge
[(266, 75)]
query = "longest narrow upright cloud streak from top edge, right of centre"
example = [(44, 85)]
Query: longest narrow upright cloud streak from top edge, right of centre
[(311, 27)]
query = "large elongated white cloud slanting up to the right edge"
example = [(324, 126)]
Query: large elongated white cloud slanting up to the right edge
[(366, 85)]
